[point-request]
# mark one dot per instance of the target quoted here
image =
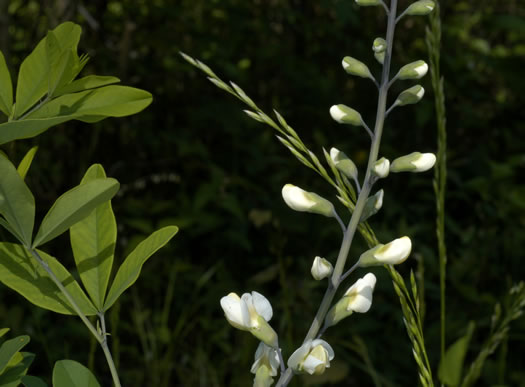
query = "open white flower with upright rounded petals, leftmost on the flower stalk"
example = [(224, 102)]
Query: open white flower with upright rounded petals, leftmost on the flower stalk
[(251, 312)]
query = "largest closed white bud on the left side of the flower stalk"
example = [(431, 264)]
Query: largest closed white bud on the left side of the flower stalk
[(300, 200)]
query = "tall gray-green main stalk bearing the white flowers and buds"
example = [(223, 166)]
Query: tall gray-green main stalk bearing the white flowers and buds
[(348, 237)]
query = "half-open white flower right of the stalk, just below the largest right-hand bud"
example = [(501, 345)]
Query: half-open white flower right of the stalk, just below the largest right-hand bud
[(358, 298)]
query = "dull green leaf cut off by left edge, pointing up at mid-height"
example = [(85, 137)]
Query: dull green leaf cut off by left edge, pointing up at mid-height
[(17, 203)]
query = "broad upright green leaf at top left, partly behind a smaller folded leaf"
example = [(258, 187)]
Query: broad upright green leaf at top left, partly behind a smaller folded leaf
[(33, 76)]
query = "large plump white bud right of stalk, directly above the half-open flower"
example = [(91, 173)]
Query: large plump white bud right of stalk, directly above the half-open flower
[(392, 253)]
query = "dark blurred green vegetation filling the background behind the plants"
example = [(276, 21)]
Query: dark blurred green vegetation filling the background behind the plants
[(194, 159)]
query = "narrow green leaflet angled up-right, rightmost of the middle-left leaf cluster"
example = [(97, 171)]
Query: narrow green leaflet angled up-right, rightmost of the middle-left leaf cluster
[(130, 269)]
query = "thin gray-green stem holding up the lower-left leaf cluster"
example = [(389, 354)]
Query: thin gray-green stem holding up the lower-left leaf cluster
[(101, 338)]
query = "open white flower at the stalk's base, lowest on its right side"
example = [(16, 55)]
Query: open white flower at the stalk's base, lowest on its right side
[(313, 357)]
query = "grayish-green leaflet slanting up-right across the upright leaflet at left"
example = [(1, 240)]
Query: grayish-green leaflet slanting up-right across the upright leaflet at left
[(73, 206)]
